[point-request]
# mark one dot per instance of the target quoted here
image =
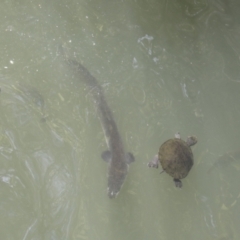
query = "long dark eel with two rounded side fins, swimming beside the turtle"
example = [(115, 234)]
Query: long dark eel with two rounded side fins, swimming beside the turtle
[(118, 160)]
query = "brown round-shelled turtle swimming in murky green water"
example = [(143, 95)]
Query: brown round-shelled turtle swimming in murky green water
[(176, 157)]
